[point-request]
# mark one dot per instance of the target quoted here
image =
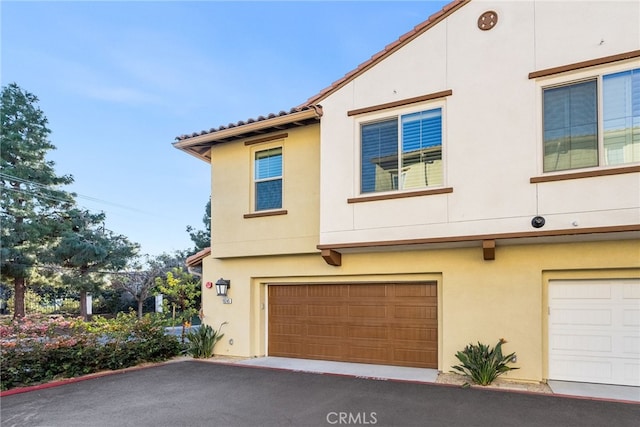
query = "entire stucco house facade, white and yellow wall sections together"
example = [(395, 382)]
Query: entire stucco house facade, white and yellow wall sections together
[(492, 147)]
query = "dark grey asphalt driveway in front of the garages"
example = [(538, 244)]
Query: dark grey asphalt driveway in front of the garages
[(194, 393)]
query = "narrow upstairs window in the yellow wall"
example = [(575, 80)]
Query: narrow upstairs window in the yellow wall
[(268, 179)]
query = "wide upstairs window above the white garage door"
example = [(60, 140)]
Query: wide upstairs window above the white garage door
[(591, 123)]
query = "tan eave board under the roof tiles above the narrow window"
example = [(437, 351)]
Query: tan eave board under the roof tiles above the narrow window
[(187, 144)]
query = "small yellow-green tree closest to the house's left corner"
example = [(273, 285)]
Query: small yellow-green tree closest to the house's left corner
[(183, 294)]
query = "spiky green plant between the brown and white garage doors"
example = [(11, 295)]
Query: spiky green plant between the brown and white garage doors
[(482, 363)]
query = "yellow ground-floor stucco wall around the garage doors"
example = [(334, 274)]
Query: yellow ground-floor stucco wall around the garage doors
[(485, 301)]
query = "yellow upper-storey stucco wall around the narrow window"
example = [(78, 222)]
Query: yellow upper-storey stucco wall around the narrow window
[(232, 184)]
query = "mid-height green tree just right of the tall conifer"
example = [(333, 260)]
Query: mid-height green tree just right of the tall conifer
[(87, 252)]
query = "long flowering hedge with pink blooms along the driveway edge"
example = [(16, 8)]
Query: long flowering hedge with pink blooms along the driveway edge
[(39, 349)]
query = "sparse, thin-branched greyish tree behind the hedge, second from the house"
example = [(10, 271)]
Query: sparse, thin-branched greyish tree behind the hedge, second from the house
[(140, 280)]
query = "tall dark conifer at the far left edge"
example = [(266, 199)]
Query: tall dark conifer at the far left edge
[(30, 199)]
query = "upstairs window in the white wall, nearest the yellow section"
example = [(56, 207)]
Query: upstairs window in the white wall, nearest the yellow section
[(402, 153)]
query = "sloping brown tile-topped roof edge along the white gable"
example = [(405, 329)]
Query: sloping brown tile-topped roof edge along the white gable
[(388, 50)]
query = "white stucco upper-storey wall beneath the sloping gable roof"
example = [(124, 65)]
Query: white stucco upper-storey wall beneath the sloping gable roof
[(491, 125)]
